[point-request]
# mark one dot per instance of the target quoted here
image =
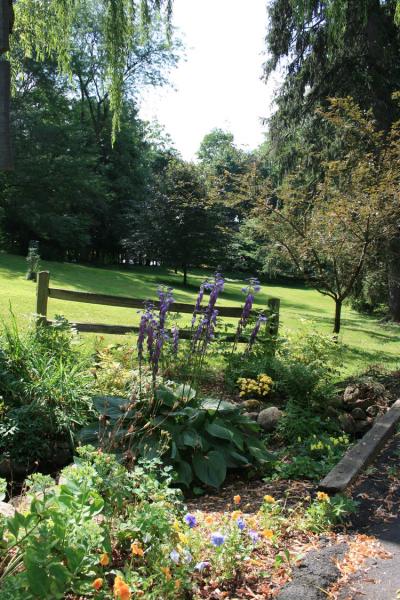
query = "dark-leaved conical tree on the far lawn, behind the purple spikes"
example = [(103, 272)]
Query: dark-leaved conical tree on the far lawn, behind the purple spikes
[(175, 224)]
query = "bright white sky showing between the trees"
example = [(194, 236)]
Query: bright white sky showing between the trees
[(218, 85)]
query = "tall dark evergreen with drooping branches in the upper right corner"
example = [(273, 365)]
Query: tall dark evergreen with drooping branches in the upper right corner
[(332, 49)]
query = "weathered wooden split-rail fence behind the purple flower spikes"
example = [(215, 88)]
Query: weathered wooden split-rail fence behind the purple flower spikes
[(45, 292)]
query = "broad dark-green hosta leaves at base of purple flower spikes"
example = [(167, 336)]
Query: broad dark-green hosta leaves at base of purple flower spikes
[(200, 439)]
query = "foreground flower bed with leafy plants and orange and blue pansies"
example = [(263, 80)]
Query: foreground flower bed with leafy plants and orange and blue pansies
[(105, 532)]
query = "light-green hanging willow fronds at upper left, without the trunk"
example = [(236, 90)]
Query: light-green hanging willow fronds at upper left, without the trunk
[(50, 34)]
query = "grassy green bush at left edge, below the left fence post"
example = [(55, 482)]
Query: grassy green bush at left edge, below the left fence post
[(45, 387)]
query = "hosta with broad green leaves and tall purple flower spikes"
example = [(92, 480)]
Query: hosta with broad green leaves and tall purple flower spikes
[(200, 437)]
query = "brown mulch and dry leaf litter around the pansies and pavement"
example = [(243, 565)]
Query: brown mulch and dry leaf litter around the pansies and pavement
[(259, 578)]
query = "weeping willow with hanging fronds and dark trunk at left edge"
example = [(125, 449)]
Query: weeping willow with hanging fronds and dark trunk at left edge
[(46, 29)]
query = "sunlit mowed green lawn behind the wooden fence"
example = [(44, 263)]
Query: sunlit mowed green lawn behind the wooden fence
[(365, 340)]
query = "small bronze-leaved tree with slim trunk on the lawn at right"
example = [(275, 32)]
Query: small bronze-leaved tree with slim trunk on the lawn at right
[(329, 235)]
